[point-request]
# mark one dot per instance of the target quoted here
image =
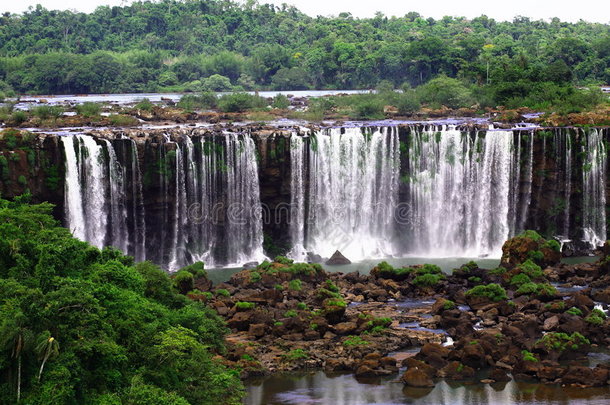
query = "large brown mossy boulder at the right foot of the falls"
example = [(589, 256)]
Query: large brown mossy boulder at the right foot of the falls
[(530, 245)]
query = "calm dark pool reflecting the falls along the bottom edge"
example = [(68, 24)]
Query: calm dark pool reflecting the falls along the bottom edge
[(317, 388)]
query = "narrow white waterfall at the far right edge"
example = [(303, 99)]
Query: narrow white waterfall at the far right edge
[(594, 188)]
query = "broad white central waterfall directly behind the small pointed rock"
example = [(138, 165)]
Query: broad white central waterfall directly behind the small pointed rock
[(353, 190)]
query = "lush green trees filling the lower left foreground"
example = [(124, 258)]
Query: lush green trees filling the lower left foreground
[(84, 326)]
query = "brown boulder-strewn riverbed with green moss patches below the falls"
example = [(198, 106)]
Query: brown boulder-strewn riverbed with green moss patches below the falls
[(532, 319)]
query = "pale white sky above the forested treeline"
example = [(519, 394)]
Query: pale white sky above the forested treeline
[(572, 10)]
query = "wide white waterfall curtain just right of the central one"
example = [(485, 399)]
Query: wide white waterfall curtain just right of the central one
[(459, 187)]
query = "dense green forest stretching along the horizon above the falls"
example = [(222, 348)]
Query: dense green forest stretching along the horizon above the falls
[(219, 45)]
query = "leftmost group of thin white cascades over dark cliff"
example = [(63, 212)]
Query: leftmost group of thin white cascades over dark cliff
[(207, 207)]
